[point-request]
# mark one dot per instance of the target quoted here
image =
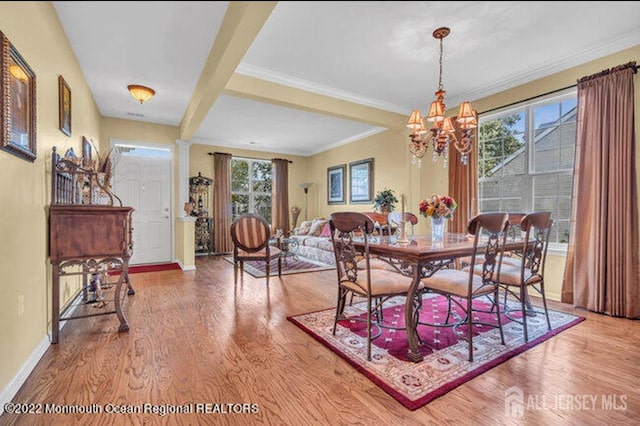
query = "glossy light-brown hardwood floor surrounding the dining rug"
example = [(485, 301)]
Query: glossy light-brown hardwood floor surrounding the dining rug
[(197, 338)]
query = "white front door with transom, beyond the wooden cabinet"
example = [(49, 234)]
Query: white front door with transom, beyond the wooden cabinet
[(142, 180)]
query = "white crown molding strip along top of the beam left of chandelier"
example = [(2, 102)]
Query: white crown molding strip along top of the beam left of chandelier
[(308, 86)]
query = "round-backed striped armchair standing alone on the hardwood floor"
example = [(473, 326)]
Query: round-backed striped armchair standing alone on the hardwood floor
[(250, 234)]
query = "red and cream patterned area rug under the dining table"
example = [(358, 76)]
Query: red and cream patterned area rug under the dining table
[(445, 365)]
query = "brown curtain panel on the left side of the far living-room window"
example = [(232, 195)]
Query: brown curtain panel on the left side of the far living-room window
[(222, 203)]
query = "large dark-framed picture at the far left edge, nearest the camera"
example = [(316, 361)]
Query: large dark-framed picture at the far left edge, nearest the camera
[(18, 100)]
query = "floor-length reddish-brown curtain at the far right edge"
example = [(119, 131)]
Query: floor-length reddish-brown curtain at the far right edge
[(601, 271)]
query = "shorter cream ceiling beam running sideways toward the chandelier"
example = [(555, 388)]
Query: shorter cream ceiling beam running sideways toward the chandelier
[(274, 93)]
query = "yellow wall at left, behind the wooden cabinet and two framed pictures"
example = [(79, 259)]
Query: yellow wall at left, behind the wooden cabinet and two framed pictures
[(33, 28)]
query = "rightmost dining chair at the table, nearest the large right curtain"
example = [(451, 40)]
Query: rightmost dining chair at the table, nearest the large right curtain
[(517, 276)]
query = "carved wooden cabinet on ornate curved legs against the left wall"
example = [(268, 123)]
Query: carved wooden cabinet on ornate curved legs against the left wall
[(89, 236)]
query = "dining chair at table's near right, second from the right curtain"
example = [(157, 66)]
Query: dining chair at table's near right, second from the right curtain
[(462, 287)]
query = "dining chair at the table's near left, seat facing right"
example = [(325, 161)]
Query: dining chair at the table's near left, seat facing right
[(375, 285)]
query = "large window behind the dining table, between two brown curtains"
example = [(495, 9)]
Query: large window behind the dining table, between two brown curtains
[(526, 159)]
